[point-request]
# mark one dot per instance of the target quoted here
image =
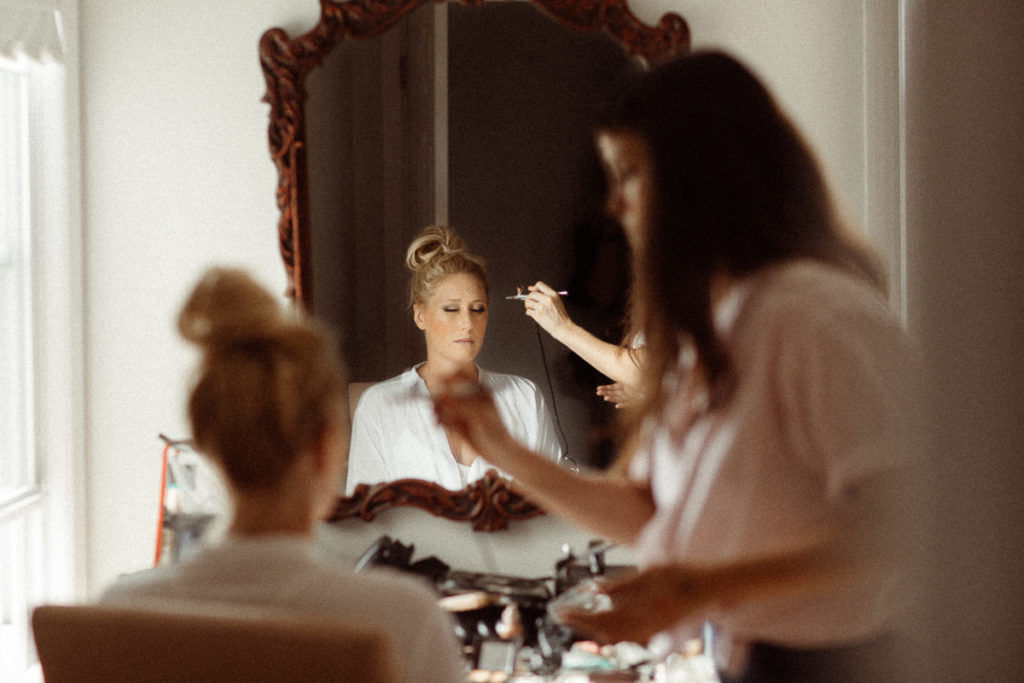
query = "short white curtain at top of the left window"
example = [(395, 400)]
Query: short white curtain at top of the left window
[(31, 30)]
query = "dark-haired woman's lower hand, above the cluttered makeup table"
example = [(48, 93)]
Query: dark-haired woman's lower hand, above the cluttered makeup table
[(647, 604)]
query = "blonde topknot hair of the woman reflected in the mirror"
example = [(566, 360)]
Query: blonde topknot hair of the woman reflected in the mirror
[(438, 252)]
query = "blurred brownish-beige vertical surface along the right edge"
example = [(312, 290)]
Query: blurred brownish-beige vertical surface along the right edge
[(966, 249)]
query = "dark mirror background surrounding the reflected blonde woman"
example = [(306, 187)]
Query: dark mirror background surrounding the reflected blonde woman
[(478, 118)]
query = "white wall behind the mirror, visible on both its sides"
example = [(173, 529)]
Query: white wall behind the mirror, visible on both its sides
[(178, 177)]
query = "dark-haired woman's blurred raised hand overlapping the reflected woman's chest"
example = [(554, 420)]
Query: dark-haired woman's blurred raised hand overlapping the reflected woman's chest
[(465, 406)]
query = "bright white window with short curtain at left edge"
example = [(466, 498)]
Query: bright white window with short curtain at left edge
[(39, 324)]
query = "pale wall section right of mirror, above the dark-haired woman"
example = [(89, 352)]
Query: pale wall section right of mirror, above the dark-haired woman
[(833, 66)]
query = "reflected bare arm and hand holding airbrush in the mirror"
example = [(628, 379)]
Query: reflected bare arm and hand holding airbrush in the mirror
[(546, 308)]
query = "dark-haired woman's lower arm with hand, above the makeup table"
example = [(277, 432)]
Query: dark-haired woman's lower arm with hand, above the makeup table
[(865, 546)]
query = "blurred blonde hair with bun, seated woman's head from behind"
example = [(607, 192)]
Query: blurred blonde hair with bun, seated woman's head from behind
[(270, 382)]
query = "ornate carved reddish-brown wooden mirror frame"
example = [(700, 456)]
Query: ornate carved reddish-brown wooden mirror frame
[(490, 503)]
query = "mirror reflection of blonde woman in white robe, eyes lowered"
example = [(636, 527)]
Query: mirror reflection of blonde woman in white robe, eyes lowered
[(395, 432)]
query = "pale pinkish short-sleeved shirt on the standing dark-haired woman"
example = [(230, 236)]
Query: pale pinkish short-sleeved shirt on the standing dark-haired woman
[(822, 367)]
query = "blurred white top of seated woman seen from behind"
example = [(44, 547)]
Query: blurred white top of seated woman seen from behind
[(283, 572)]
